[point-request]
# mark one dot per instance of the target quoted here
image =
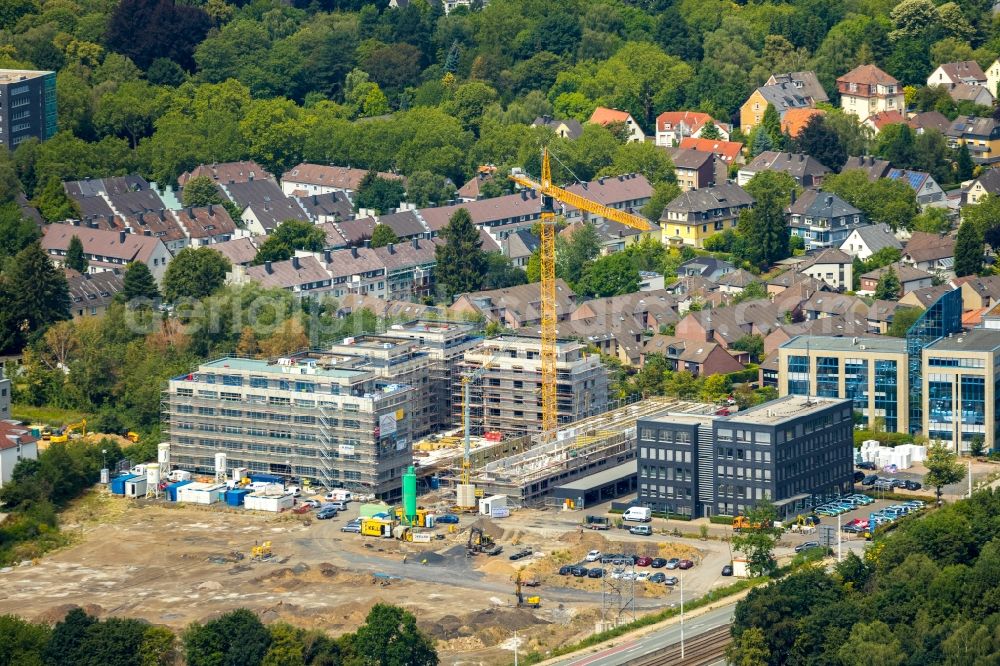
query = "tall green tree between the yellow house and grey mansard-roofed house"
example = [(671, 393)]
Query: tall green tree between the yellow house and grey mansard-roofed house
[(765, 222)]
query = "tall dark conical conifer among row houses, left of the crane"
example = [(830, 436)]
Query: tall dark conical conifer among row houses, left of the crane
[(461, 264)]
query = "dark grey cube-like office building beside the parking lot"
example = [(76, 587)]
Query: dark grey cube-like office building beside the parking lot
[(794, 451)]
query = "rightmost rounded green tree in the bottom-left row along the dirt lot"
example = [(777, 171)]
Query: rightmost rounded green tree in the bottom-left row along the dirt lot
[(390, 637)]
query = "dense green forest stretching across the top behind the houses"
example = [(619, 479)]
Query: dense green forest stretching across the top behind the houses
[(158, 86)]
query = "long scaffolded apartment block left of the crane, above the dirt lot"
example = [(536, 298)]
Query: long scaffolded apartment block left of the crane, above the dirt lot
[(300, 417)]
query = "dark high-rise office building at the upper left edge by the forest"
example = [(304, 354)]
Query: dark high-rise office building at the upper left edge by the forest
[(27, 106)]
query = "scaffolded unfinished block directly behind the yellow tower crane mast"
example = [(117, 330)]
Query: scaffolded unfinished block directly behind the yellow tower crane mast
[(507, 394)]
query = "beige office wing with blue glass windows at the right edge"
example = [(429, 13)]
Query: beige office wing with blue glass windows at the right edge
[(961, 381)]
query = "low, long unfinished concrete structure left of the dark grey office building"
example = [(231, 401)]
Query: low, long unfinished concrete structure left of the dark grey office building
[(586, 447)]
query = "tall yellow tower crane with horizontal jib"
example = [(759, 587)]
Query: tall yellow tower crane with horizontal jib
[(547, 254)]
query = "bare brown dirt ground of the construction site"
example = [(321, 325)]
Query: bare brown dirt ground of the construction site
[(175, 564)]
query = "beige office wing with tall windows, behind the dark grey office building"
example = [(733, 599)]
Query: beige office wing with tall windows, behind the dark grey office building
[(870, 372)]
